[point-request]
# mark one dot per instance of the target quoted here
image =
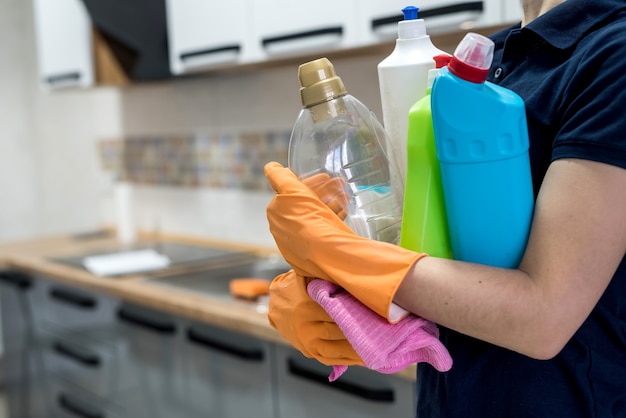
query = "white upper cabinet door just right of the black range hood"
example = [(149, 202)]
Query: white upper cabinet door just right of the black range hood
[(204, 34)]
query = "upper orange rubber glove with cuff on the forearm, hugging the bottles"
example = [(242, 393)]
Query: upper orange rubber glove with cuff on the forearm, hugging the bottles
[(316, 243)]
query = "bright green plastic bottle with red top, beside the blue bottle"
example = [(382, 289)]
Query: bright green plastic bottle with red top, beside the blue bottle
[(424, 221)]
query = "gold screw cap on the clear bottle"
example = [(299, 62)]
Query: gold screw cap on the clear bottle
[(319, 82)]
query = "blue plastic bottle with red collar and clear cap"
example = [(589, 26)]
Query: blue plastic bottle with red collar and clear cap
[(481, 136)]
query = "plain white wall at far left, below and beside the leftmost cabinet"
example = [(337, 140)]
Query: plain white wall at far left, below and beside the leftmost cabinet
[(50, 181)]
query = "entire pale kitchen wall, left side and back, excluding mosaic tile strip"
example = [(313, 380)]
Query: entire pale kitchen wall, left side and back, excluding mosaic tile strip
[(51, 180)]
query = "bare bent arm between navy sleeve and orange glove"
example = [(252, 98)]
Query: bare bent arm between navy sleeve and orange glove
[(577, 241)]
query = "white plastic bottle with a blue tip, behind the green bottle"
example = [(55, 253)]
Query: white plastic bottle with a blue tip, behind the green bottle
[(402, 78)]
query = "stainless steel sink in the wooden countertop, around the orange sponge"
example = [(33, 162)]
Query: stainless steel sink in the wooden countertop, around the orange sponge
[(214, 282)]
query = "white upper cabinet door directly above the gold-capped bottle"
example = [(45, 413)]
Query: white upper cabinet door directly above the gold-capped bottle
[(285, 27)]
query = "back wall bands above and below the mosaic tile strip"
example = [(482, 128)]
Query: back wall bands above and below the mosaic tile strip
[(256, 101)]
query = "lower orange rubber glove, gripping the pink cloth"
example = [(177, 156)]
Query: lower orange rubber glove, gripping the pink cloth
[(306, 325)]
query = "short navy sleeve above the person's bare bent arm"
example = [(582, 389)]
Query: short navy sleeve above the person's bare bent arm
[(593, 108)]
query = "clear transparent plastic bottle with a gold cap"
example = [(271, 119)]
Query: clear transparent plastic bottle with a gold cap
[(337, 135)]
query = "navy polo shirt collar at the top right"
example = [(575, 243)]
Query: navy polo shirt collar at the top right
[(567, 23)]
